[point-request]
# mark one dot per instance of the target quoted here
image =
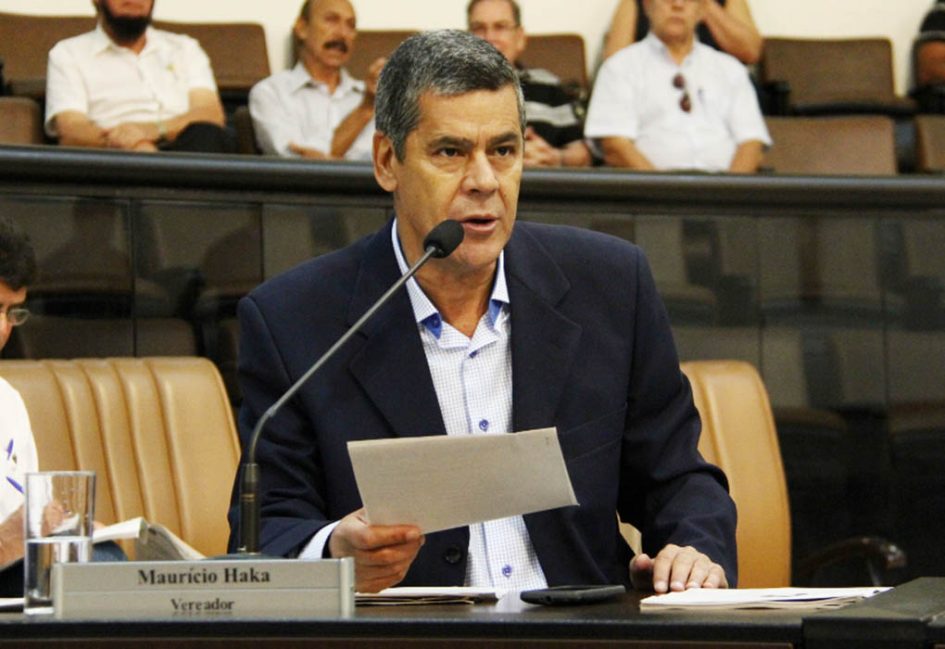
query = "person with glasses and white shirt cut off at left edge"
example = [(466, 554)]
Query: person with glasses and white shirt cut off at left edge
[(17, 448)]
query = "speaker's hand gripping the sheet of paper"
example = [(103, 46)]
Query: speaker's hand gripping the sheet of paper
[(382, 553)]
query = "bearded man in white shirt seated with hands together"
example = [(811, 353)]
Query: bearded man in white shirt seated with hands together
[(126, 85)]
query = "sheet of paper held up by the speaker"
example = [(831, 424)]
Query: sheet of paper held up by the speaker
[(447, 481)]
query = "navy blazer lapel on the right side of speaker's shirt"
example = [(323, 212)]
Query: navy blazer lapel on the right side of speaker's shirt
[(544, 341)]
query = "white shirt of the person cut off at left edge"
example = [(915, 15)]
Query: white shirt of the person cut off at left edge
[(17, 449)]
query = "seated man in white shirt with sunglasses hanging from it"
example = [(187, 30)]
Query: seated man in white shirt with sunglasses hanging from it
[(670, 102)]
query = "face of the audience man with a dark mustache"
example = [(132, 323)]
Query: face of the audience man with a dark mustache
[(328, 34)]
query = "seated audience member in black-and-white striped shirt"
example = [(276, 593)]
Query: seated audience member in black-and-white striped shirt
[(555, 134)]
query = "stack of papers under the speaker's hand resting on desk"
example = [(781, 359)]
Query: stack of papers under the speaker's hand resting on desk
[(754, 598)]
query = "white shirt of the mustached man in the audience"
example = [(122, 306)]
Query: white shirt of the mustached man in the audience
[(291, 107)]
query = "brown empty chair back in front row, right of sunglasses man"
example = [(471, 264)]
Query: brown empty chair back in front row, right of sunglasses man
[(851, 145)]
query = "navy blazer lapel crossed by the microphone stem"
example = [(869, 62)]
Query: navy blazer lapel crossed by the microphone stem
[(391, 366)]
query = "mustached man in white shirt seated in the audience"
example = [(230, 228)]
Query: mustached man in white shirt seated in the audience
[(317, 110)]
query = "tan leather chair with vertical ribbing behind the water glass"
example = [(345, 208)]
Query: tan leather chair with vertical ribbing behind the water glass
[(158, 432)]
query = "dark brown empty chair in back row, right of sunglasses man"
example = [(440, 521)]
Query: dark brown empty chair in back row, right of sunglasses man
[(823, 76)]
